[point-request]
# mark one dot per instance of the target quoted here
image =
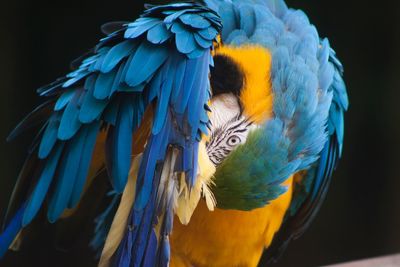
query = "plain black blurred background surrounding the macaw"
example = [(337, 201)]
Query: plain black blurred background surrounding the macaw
[(360, 217)]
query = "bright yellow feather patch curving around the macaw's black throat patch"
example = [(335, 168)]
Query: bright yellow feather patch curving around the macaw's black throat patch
[(256, 96)]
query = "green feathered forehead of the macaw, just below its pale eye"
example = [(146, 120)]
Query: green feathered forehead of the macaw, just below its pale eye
[(242, 181)]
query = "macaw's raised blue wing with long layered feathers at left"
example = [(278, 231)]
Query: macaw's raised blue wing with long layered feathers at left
[(160, 62)]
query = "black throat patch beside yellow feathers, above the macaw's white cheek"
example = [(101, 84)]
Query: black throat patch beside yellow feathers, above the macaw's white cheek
[(226, 76)]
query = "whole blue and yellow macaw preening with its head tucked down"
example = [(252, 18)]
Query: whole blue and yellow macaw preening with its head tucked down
[(218, 123)]
